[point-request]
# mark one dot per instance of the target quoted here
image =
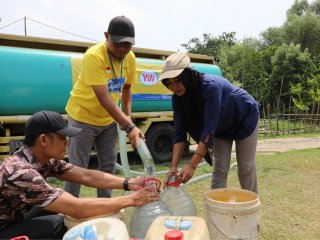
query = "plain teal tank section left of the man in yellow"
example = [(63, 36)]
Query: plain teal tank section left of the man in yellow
[(33, 80)]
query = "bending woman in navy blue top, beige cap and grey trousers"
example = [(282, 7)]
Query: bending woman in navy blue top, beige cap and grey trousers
[(215, 113)]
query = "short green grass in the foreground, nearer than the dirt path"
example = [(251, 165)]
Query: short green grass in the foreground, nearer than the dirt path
[(289, 191)]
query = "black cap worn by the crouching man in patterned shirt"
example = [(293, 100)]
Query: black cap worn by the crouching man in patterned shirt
[(48, 121)]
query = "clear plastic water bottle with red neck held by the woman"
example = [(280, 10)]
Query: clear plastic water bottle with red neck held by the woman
[(177, 199)]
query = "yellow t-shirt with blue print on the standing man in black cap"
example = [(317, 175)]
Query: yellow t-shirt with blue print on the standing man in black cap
[(83, 105)]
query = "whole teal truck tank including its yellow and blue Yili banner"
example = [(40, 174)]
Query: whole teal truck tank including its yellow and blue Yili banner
[(33, 80)]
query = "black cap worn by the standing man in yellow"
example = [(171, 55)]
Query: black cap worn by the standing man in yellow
[(121, 29)]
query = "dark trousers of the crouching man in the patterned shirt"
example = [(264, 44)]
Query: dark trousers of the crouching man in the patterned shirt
[(37, 224)]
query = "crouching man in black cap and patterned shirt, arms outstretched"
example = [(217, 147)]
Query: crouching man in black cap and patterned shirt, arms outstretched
[(29, 205)]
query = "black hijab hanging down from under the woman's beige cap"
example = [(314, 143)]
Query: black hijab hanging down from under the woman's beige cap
[(191, 104)]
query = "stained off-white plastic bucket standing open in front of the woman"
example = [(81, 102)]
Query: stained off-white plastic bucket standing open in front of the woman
[(232, 213)]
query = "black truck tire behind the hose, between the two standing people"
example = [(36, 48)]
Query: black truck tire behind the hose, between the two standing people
[(159, 141)]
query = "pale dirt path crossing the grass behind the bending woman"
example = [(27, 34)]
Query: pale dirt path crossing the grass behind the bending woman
[(284, 144)]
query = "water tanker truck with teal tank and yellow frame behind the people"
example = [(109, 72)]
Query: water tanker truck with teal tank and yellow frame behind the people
[(38, 74)]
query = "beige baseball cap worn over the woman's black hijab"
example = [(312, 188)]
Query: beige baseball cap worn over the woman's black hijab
[(174, 65)]
